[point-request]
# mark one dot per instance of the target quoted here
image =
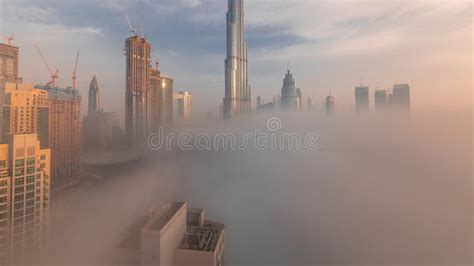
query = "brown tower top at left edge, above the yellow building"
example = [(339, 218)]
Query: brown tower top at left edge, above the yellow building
[(9, 63)]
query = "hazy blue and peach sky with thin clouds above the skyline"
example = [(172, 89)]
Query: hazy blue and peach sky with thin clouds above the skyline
[(332, 45)]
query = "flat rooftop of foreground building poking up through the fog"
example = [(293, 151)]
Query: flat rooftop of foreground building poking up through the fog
[(175, 236)]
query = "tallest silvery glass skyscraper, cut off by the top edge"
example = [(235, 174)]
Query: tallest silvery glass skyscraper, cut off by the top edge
[(237, 99)]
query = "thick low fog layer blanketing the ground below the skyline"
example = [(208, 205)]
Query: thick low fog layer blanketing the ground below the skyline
[(380, 190)]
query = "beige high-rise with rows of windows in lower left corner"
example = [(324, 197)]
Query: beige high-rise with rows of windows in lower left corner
[(24, 199)]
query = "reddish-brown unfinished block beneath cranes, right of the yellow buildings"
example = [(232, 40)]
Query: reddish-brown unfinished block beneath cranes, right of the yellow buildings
[(64, 133)]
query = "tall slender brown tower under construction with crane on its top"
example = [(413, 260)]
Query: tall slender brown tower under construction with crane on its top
[(137, 96)]
